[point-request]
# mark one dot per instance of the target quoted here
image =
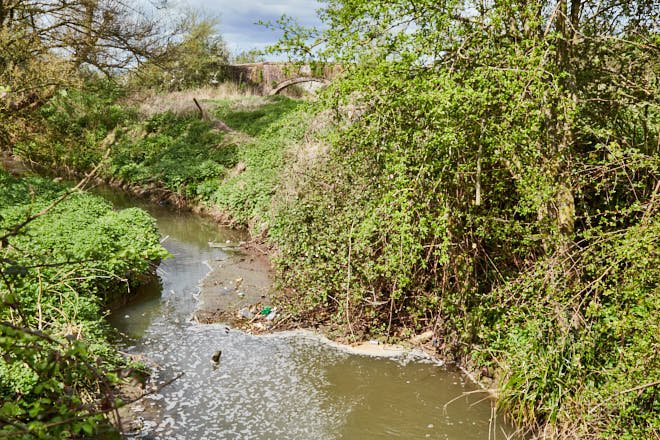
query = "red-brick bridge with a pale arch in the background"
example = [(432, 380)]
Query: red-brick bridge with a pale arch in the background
[(269, 78)]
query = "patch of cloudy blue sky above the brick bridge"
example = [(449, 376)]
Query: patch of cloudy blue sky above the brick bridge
[(238, 18)]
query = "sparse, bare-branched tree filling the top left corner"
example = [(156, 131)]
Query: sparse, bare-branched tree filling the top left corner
[(45, 45)]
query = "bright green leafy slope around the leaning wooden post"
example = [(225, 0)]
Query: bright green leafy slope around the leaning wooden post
[(238, 172)]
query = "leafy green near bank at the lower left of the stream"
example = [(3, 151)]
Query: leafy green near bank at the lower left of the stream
[(58, 273)]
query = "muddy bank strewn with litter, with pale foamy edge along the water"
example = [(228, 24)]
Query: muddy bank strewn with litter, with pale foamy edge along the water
[(238, 292)]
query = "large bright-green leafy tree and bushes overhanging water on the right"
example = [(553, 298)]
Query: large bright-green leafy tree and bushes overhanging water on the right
[(495, 179)]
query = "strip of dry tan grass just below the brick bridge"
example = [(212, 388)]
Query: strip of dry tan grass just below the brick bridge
[(150, 102)]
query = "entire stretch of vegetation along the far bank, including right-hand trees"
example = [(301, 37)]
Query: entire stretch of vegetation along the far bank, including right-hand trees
[(488, 171)]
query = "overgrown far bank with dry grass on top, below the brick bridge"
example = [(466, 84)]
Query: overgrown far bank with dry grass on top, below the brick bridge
[(160, 142)]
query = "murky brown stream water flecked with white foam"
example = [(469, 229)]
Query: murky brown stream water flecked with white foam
[(287, 386)]
